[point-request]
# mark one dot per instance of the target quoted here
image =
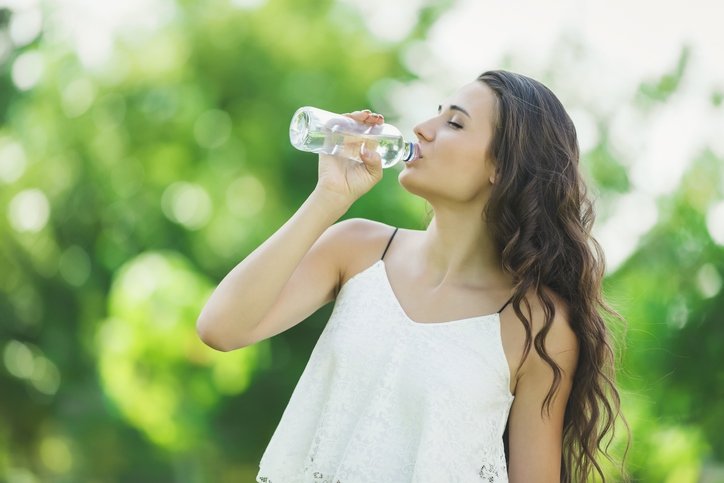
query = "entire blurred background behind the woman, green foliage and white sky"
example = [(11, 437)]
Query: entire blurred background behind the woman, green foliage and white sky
[(144, 152)]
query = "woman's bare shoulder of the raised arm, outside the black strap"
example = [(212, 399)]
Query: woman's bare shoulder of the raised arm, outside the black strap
[(359, 243)]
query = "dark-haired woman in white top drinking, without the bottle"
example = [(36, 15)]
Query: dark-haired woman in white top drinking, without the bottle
[(407, 381)]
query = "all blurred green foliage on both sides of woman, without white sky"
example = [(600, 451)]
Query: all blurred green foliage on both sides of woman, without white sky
[(159, 172)]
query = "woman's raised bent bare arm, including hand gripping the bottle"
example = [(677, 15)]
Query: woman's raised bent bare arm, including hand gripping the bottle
[(296, 270)]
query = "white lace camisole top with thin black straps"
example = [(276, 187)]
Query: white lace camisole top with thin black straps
[(386, 399)]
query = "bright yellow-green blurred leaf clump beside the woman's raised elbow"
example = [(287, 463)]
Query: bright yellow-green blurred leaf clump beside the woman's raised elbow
[(152, 363)]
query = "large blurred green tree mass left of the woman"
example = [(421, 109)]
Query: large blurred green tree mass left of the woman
[(141, 183)]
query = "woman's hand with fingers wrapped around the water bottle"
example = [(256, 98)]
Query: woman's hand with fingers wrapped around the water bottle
[(344, 179)]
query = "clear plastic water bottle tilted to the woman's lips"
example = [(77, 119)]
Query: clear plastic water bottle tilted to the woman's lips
[(319, 131)]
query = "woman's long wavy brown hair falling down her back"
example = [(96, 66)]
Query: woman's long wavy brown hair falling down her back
[(540, 217)]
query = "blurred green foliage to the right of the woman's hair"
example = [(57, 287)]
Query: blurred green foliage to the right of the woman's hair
[(672, 368)]
